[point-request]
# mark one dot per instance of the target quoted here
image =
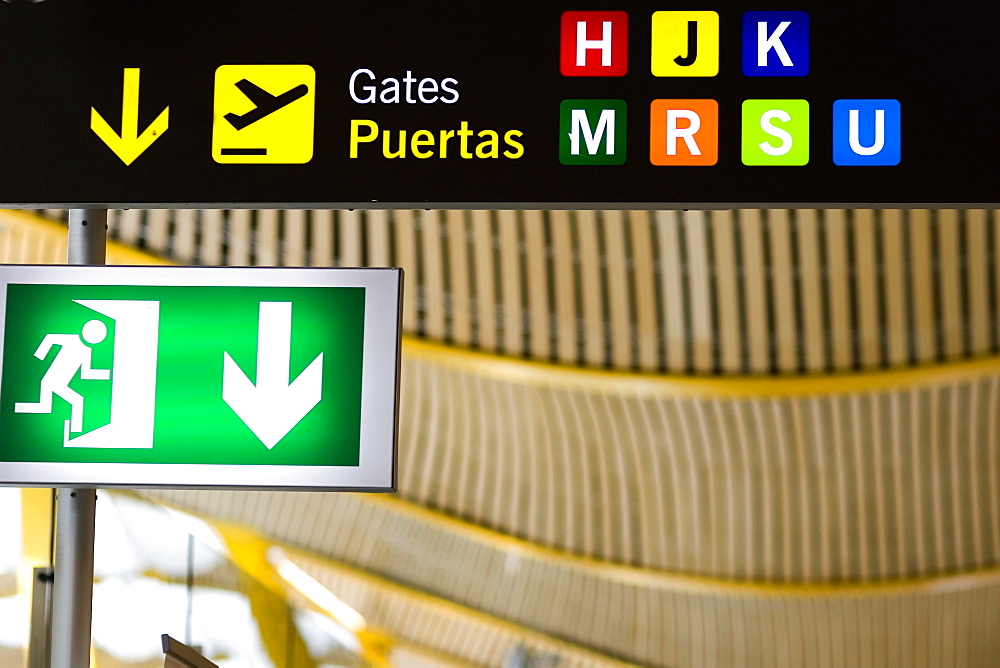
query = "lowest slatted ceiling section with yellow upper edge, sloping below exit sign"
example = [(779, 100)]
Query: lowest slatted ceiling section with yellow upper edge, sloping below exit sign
[(630, 614)]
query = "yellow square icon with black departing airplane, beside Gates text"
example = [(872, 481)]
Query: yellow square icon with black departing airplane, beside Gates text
[(264, 114)]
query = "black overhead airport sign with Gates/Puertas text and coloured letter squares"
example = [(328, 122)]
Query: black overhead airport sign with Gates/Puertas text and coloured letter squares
[(312, 103)]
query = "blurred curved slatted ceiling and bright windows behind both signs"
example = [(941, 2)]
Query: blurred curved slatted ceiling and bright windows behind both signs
[(665, 438)]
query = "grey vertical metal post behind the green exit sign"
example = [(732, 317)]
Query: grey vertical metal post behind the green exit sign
[(73, 588)]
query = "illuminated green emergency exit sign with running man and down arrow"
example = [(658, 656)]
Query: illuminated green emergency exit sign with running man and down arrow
[(175, 377)]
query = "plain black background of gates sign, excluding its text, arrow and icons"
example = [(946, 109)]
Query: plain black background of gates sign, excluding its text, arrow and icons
[(60, 57)]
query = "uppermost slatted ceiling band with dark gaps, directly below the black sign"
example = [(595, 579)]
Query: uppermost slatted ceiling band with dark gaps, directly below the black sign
[(720, 292)]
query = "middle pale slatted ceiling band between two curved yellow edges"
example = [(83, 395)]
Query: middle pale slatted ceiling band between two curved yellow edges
[(855, 486)]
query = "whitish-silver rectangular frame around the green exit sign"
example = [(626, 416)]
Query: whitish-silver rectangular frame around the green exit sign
[(379, 393)]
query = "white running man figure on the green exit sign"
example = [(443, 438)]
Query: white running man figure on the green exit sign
[(74, 355)]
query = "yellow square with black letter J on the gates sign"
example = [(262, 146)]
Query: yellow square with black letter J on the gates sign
[(685, 44)]
